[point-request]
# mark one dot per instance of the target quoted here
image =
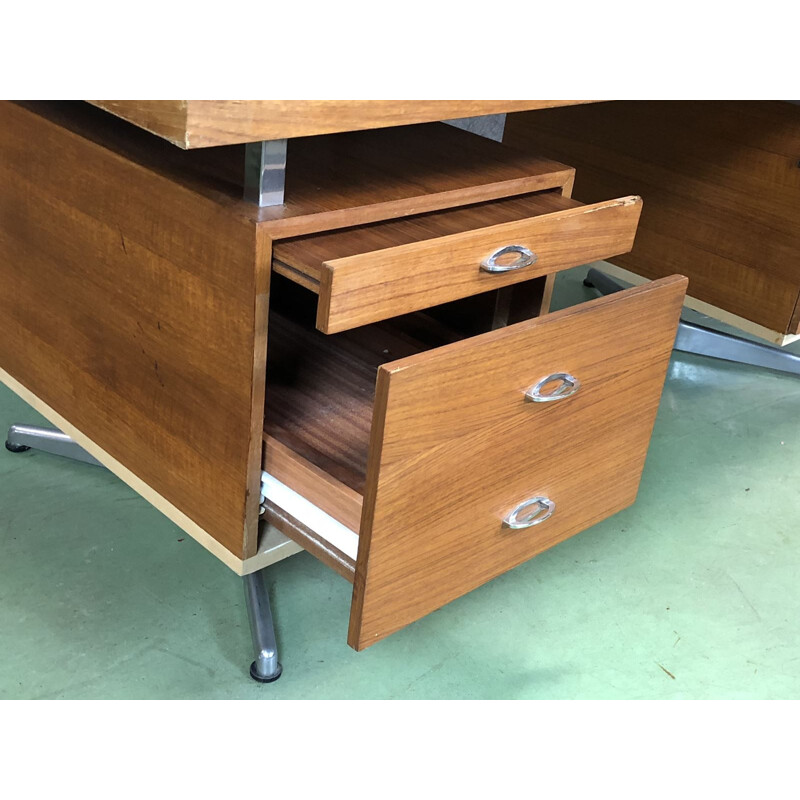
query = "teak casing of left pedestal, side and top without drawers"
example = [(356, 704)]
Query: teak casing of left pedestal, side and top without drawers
[(140, 315)]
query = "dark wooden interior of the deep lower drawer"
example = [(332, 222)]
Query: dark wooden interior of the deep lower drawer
[(321, 389)]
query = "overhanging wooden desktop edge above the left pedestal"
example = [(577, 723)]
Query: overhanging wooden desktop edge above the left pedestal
[(203, 123)]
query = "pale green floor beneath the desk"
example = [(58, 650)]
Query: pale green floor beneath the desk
[(691, 593)]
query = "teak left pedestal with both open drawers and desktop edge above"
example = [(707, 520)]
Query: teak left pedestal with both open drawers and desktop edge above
[(368, 346)]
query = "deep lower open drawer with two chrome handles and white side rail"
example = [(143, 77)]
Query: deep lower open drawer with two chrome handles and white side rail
[(466, 458)]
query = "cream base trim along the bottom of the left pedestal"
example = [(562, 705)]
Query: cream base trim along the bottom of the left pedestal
[(271, 548)]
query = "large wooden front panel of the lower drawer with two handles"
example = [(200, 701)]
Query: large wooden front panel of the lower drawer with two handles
[(456, 446)]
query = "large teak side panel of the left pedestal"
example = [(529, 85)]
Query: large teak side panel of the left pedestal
[(137, 310)]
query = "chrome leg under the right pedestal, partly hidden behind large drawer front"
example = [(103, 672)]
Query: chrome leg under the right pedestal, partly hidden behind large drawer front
[(704, 341)]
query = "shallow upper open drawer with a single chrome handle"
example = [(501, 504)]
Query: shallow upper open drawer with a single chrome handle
[(372, 272)]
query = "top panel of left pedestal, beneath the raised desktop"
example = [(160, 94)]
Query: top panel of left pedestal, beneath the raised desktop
[(334, 181)]
